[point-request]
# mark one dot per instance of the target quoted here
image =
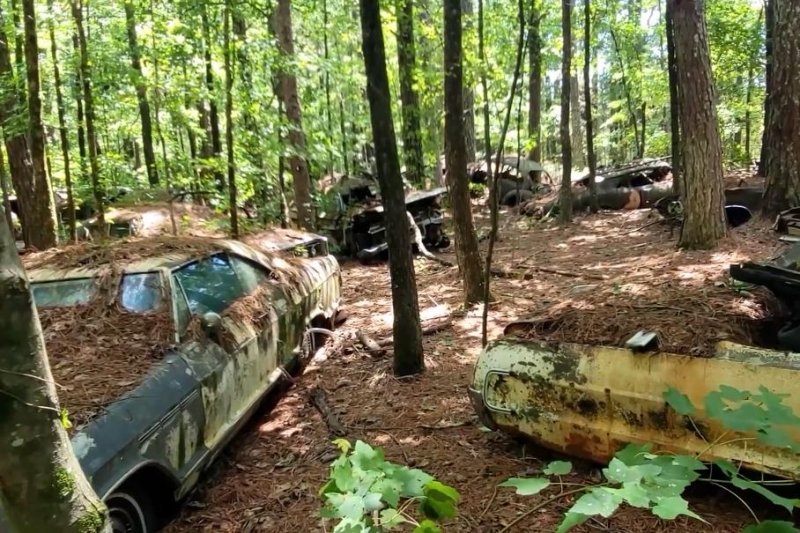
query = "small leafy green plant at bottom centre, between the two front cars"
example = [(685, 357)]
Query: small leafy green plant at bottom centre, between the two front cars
[(368, 494)]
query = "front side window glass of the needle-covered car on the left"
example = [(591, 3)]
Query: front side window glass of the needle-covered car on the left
[(210, 284)]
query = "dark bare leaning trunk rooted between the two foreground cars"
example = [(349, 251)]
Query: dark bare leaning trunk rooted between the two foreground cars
[(408, 354)]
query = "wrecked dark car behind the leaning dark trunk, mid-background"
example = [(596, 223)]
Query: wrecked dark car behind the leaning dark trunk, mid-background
[(352, 216)]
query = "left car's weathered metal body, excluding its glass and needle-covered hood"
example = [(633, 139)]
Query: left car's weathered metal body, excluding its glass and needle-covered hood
[(192, 402)]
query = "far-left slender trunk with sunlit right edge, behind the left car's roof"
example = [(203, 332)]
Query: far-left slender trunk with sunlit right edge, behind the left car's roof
[(44, 233)]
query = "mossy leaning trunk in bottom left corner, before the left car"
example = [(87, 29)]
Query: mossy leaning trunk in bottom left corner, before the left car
[(53, 494)]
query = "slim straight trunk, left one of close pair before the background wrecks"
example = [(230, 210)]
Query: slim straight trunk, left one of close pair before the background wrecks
[(565, 196)]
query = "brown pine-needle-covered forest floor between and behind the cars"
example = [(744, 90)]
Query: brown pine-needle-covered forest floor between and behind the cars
[(269, 478)]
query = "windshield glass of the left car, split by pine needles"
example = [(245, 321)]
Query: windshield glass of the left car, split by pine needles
[(138, 293)]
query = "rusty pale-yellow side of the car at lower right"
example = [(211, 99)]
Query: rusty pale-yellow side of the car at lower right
[(590, 401)]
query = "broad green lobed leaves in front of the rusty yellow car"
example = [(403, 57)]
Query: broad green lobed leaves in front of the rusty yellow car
[(638, 477)]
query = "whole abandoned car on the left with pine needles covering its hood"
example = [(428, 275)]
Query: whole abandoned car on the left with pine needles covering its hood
[(163, 349)]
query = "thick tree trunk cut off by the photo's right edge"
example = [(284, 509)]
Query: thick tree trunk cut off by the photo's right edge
[(783, 157)]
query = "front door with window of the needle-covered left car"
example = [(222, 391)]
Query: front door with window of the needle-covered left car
[(224, 364)]
